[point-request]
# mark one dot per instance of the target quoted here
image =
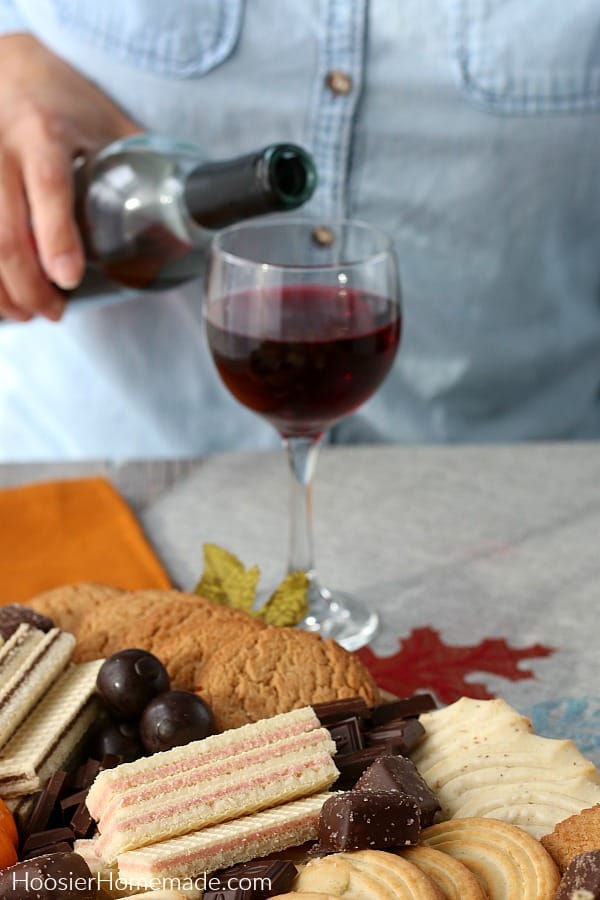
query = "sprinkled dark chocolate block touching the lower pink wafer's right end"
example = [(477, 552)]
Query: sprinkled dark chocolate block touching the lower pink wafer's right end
[(368, 820)]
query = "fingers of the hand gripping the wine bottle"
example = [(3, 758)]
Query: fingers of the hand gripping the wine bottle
[(39, 240)]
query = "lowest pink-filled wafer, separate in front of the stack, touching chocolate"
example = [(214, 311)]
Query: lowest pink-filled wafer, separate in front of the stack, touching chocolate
[(220, 846)]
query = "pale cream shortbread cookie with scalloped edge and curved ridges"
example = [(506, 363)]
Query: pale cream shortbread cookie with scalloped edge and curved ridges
[(480, 759)]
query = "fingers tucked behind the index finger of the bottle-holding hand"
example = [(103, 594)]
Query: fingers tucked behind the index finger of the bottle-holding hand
[(24, 288)]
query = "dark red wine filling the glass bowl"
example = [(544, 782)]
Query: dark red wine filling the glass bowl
[(303, 356)]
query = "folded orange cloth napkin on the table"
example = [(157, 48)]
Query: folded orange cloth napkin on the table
[(62, 532)]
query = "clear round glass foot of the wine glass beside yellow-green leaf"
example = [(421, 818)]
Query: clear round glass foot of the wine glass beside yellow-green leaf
[(339, 616)]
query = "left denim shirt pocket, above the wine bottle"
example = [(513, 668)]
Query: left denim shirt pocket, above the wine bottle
[(181, 39)]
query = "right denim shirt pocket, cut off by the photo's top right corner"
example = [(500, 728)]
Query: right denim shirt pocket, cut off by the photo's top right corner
[(524, 57)]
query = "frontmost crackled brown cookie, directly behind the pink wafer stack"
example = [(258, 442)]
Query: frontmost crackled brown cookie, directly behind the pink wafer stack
[(273, 669)]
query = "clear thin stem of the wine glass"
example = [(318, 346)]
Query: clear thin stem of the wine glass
[(302, 454)]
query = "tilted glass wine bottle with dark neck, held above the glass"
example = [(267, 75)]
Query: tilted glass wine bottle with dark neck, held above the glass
[(147, 207)]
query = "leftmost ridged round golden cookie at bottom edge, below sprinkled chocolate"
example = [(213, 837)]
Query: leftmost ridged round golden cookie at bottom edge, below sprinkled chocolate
[(366, 875)]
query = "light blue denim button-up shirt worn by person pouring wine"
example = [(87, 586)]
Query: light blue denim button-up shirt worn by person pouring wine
[(469, 129)]
